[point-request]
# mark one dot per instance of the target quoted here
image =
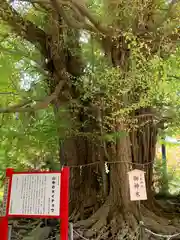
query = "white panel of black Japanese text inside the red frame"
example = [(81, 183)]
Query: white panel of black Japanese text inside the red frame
[(35, 194)]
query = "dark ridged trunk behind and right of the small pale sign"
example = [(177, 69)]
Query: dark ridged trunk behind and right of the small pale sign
[(143, 141)]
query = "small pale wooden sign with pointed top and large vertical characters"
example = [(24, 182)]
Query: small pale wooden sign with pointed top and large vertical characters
[(137, 185)]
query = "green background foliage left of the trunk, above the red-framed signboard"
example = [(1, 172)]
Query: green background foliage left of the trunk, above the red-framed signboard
[(28, 140)]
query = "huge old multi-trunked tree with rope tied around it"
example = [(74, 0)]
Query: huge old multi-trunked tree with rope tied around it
[(130, 36)]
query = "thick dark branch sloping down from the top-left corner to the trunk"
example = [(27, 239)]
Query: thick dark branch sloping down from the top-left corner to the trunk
[(24, 28)]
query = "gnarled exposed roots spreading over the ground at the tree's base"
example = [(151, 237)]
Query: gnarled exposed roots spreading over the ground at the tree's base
[(104, 224)]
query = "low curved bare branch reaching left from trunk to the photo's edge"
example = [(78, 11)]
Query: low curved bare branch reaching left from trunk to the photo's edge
[(23, 106)]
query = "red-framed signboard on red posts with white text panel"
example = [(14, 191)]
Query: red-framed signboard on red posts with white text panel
[(41, 194)]
